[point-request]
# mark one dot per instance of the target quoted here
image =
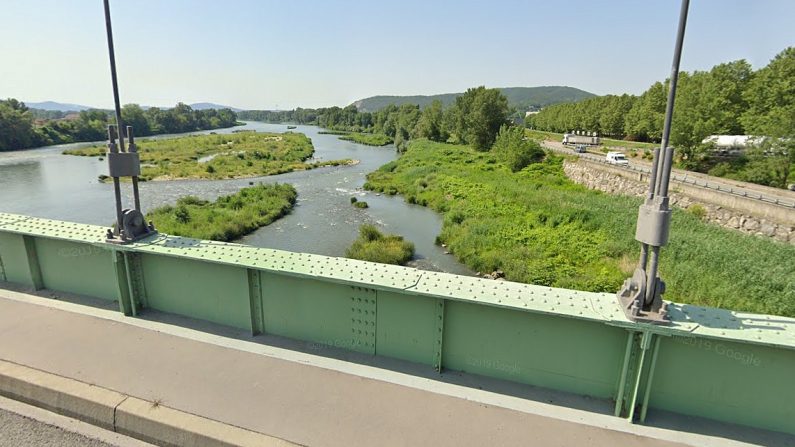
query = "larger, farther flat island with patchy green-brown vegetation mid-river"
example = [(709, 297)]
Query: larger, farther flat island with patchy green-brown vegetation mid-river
[(215, 157)]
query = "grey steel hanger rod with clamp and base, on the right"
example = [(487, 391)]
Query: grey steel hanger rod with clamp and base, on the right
[(641, 295)]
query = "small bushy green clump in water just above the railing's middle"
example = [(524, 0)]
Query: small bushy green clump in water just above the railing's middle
[(372, 245)]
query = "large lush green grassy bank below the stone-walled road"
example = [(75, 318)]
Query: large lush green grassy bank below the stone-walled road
[(540, 227)]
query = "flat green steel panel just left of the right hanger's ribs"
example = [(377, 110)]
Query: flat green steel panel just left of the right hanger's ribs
[(547, 351)]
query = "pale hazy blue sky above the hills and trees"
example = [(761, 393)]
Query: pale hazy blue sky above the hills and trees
[(268, 54)]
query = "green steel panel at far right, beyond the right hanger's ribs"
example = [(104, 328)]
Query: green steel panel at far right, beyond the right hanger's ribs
[(728, 381)]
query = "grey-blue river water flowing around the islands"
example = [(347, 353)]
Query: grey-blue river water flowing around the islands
[(44, 183)]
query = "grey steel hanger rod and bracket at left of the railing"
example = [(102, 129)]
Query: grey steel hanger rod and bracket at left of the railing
[(130, 223)]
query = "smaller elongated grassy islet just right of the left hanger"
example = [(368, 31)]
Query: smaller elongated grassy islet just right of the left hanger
[(229, 217)]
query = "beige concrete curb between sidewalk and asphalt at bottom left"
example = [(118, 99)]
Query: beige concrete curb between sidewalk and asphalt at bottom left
[(124, 414)]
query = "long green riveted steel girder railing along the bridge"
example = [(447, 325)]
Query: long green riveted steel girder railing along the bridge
[(713, 363)]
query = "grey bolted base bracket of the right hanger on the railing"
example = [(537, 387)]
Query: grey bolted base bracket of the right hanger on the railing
[(632, 298)]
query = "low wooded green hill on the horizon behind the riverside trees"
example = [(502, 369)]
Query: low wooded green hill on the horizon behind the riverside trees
[(523, 98)]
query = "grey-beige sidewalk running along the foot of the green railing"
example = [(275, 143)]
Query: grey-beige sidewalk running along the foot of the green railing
[(295, 396)]
